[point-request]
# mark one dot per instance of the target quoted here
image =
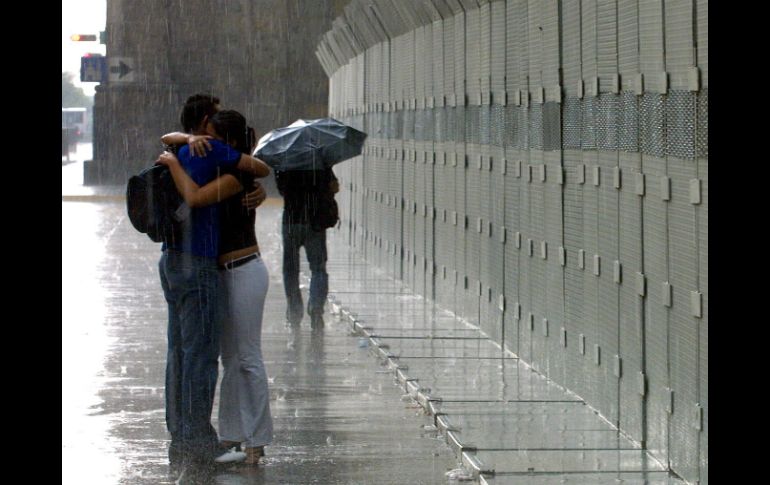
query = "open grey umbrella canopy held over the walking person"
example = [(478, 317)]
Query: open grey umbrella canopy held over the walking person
[(310, 145)]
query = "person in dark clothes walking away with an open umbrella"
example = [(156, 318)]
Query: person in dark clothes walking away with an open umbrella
[(302, 155)]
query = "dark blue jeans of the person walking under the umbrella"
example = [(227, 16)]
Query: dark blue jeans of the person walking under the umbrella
[(294, 237)]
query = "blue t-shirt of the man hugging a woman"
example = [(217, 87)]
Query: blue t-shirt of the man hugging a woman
[(201, 237)]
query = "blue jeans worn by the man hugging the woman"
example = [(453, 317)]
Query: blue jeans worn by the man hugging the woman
[(190, 284)]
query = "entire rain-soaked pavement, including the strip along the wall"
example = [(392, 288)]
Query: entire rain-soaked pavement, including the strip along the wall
[(338, 398)]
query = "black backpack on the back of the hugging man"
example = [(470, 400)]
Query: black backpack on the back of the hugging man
[(154, 205)]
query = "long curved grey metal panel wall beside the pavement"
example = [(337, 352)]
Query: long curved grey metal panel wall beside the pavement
[(541, 169)]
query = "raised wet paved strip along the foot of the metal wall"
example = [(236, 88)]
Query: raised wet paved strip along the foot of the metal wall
[(504, 421)]
